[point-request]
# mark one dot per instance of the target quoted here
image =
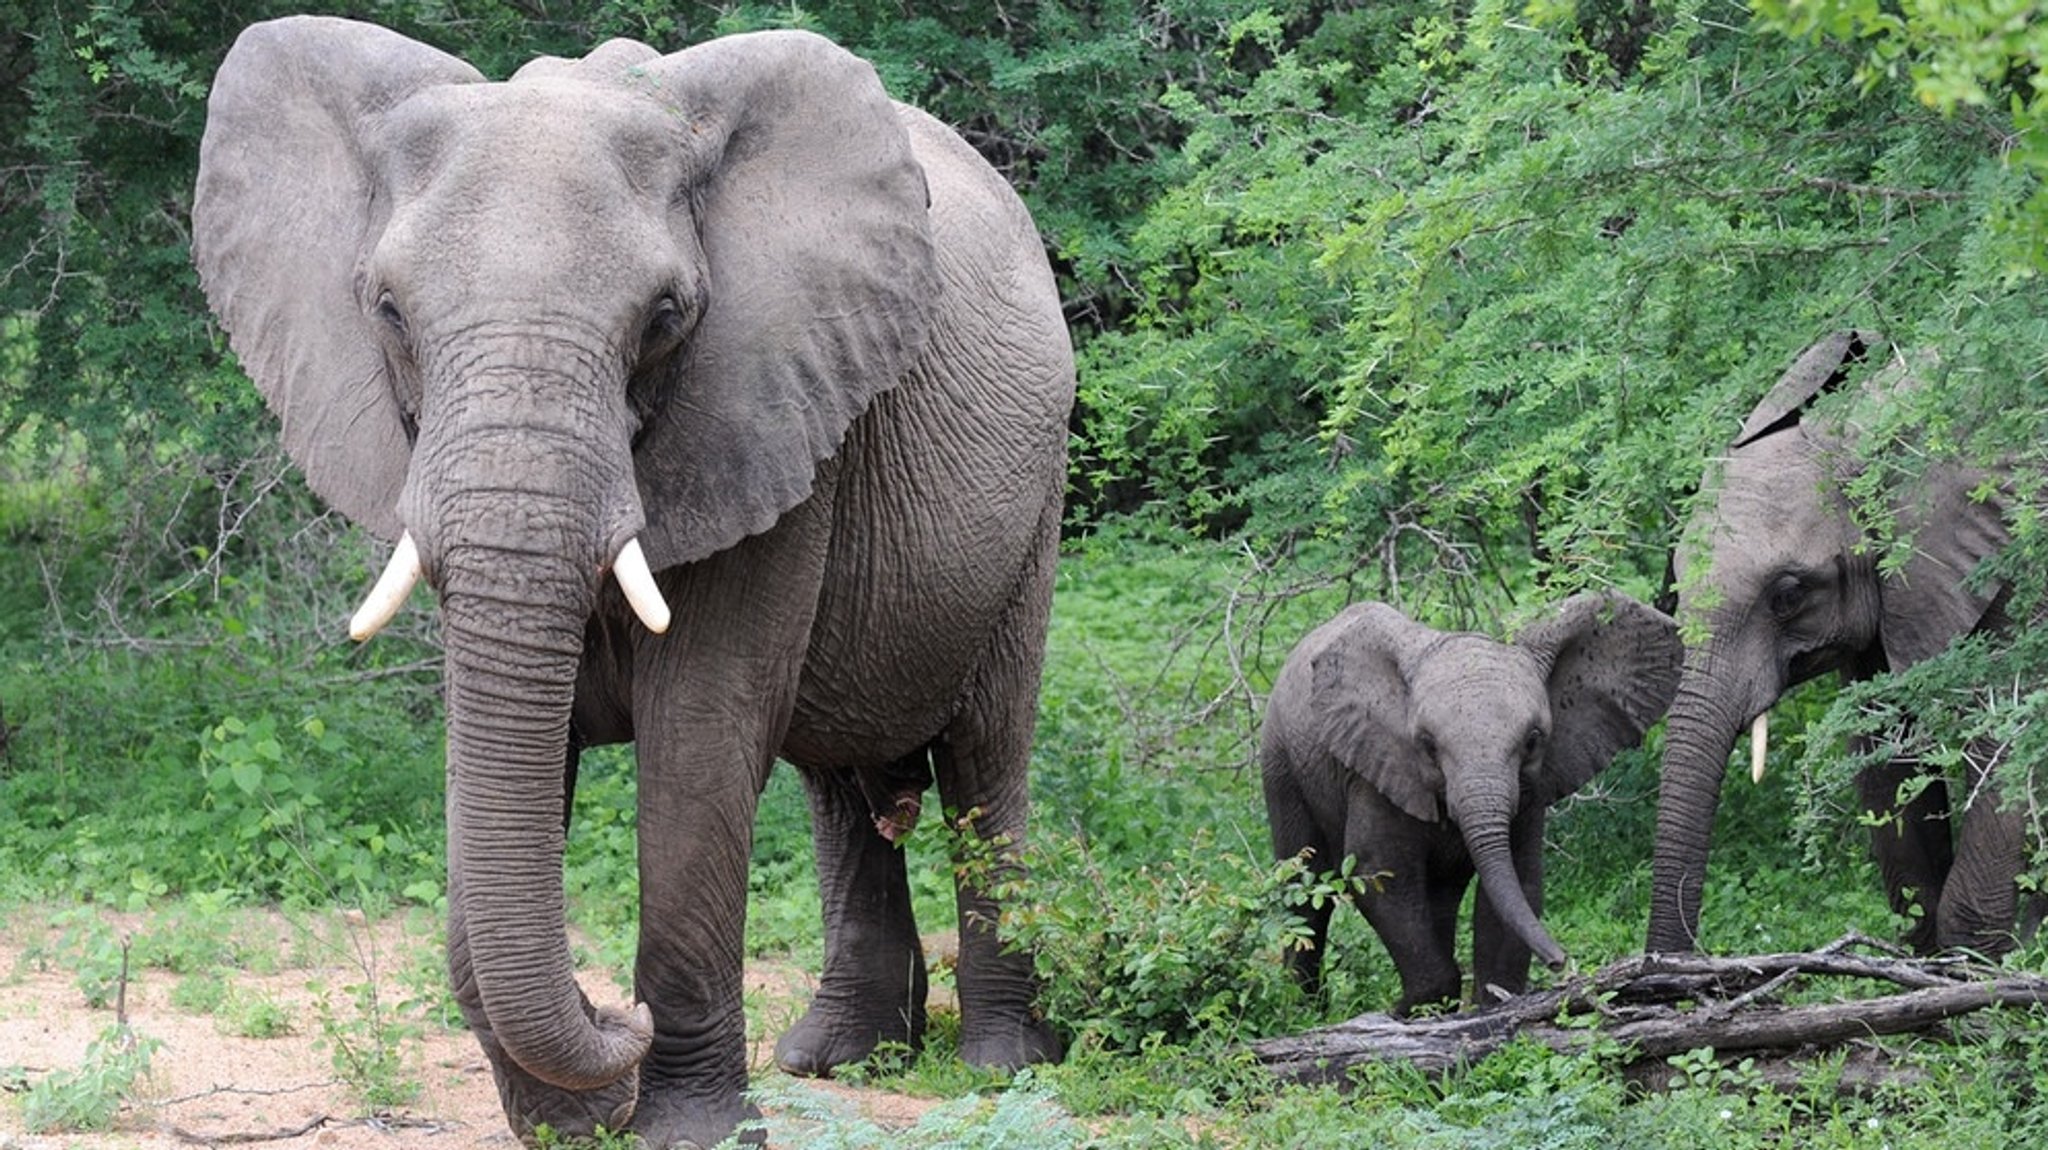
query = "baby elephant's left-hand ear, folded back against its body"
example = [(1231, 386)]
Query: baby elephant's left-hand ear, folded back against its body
[(1361, 703)]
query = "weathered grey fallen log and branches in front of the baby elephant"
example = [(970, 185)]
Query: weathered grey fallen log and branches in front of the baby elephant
[(1660, 1006)]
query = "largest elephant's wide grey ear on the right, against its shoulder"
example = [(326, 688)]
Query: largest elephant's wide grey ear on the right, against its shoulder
[(814, 222)]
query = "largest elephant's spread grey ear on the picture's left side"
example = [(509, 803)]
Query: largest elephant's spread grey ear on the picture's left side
[(284, 212)]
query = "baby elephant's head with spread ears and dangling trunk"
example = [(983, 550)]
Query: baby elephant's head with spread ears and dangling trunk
[(1463, 727)]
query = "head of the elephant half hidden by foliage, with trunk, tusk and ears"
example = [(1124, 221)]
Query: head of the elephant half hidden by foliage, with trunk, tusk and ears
[(1793, 590)]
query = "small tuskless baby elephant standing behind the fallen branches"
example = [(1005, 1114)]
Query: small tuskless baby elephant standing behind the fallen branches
[(1426, 756)]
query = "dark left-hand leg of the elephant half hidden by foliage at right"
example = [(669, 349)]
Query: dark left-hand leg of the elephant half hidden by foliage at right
[(1912, 844)]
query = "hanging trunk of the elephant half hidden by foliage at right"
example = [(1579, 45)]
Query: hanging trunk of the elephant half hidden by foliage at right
[(1701, 732)]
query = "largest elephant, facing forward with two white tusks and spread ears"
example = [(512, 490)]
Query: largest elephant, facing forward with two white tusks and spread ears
[(779, 355)]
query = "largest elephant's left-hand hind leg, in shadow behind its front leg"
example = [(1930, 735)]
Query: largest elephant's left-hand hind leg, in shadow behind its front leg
[(876, 981)]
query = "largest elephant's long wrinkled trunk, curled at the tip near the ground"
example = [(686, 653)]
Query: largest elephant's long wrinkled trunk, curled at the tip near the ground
[(517, 513)]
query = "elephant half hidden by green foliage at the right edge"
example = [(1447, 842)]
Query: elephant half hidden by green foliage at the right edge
[(1793, 590)]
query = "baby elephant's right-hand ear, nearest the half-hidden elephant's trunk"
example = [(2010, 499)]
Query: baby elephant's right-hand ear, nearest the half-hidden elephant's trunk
[(1611, 666)]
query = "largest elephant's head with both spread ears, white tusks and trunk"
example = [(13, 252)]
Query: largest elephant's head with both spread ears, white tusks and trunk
[(605, 316)]
